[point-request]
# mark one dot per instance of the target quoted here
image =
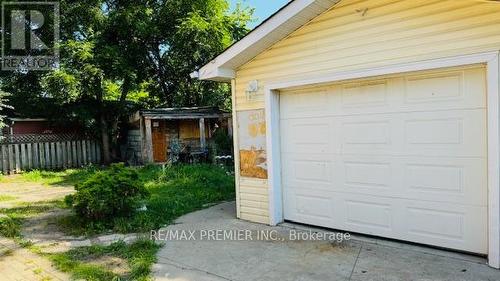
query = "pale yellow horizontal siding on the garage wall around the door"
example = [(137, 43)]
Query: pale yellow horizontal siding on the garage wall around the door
[(362, 34)]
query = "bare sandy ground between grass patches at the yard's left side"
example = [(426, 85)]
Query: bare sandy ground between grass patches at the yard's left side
[(41, 229)]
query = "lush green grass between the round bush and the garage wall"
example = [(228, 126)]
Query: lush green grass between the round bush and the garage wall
[(175, 191)]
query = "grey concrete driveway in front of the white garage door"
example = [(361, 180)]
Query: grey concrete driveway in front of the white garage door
[(360, 258)]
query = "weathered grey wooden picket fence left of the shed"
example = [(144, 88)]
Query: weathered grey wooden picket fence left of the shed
[(18, 157)]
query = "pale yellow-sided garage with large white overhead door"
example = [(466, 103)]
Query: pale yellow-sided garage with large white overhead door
[(378, 117)]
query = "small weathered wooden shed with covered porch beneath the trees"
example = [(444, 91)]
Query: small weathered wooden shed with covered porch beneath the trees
[(153, 131)]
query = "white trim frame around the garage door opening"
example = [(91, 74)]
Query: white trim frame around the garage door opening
[(492, 62)]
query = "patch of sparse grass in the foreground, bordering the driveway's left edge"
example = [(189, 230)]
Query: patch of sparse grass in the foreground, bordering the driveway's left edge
[(139, 256)]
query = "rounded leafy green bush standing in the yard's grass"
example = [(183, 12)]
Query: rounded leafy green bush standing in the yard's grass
[(113, 193)]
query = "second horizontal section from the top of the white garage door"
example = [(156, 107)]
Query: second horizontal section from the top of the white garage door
[(448, 133)]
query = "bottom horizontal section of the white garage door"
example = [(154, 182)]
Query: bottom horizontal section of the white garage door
[(445, 225)]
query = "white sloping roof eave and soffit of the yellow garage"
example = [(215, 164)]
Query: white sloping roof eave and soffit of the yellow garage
[(288, 19)]
